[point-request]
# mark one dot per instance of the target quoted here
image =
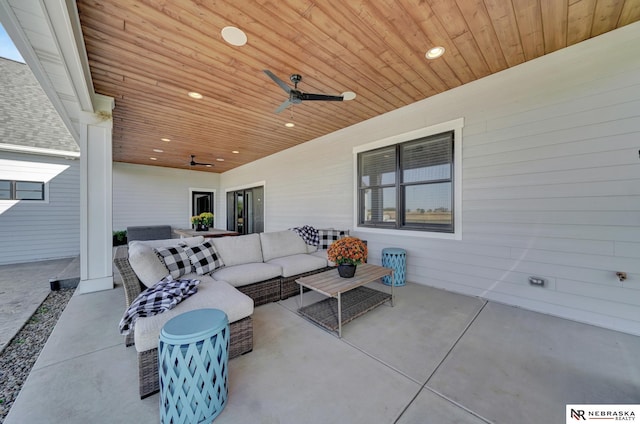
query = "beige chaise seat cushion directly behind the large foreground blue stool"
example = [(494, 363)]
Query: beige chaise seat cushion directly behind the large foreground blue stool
[(211, 294)]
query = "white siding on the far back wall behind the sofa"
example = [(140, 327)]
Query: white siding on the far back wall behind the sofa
[(150, 195)]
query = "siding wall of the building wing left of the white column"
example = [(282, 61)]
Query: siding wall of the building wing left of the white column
[(32, 231)]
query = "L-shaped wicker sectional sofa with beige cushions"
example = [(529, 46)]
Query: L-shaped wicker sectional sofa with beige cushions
[(258, 269)]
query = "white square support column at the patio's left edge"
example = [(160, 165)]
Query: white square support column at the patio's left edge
[(96, 199)]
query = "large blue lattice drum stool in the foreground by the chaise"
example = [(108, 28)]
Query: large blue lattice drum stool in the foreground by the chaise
[(193, 354)]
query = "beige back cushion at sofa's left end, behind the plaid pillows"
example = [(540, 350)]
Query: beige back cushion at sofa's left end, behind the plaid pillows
[(145, 263)]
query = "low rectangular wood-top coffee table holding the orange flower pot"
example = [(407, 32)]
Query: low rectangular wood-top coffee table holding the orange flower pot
[(347, 298)]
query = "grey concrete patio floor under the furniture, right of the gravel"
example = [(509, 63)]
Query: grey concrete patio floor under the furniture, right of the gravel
[(436, 357)]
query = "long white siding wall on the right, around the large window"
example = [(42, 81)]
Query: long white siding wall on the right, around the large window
[(551, 184)]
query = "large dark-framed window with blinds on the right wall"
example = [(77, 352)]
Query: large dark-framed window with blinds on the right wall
[(408, 185)]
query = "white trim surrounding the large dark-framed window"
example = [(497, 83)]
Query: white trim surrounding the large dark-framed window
[(456, 126)]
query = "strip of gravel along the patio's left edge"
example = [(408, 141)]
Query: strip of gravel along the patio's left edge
[(17, 359)]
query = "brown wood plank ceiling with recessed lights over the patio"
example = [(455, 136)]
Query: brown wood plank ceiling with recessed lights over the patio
[(148, 54)]
